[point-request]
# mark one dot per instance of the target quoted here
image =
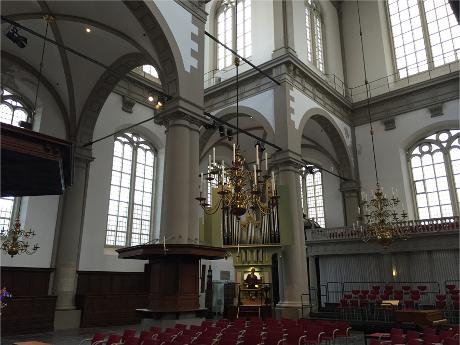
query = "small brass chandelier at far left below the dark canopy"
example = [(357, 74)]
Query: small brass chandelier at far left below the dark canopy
[(15, 240)]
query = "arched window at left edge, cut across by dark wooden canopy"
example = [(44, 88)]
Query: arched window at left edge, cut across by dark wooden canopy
[(12, 111)]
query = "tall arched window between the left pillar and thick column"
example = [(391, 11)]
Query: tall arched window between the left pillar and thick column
[(129, 219)]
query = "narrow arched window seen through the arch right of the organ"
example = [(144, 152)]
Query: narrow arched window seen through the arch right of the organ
[(311, 191)]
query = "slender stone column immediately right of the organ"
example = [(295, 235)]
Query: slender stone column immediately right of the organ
[(293, 264)]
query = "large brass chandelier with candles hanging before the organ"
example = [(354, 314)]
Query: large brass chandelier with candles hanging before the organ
[(240, 190)]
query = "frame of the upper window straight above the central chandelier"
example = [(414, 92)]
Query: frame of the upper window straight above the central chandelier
[(234, 32)]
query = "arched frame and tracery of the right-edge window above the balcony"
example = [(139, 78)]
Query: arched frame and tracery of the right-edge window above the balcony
[(454, 198)]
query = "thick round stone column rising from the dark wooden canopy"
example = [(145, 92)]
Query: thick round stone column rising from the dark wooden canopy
[(179, 220)]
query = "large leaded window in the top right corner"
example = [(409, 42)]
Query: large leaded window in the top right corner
[(425, 34)]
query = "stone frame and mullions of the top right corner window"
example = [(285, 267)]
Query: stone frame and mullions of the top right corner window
[(426, 39)]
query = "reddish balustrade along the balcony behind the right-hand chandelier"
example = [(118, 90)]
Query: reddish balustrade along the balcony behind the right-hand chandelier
[(410, 227)]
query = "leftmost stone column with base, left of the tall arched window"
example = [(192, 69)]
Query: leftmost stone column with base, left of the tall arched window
[(69, 241)]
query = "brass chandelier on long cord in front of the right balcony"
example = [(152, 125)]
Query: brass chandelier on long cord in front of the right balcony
[(378, 218)]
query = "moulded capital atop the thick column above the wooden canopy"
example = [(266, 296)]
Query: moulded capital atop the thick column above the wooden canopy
[(180, 109)]
